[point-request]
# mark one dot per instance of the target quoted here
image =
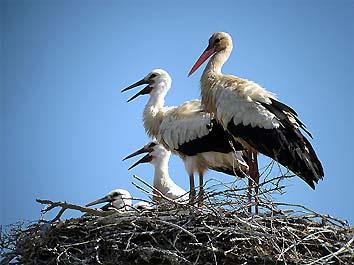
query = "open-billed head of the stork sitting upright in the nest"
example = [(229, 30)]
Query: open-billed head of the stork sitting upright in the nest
[(156, 154)]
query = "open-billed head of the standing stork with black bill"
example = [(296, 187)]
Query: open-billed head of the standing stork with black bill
[(158, 81)]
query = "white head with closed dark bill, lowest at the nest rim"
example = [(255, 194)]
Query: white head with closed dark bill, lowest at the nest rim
[(119, 199)]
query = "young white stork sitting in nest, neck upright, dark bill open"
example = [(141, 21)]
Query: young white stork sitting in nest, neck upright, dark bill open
[(158, 156)]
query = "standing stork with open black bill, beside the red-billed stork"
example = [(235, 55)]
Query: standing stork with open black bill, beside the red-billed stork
[(188, 131)]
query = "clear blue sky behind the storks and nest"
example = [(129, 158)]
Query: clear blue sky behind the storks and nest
[(65, 126)]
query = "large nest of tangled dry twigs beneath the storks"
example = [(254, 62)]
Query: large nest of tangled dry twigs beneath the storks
[(222, 232)]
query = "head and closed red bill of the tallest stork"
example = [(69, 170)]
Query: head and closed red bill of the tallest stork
[(218, 42)]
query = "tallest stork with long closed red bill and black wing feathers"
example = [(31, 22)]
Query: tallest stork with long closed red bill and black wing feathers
[(254, 116)]
